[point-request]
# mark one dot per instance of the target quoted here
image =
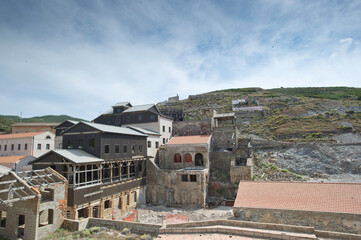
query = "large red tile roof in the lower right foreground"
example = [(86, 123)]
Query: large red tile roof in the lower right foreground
[(323, 197)]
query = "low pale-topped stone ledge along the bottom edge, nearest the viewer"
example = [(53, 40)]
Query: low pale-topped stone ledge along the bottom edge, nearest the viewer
[(242, 231)]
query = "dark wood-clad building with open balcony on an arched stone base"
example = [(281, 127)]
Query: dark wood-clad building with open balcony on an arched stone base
[(105, 169)]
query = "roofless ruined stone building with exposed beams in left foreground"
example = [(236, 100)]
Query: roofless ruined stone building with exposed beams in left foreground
[(32, 204)]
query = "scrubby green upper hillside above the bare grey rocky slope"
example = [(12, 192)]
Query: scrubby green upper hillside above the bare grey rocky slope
[(289, 114)]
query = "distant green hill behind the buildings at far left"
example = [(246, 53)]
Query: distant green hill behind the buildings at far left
[(7, 121)]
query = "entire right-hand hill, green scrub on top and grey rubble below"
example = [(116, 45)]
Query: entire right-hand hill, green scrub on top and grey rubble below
[(313, 132)]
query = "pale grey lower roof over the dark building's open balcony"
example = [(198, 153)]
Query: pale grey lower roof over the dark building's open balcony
[(77, 156)]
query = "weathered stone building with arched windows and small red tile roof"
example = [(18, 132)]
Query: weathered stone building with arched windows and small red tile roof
[(180, 178)]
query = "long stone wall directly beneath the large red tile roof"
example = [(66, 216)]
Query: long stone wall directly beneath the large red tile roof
[(338, 222)]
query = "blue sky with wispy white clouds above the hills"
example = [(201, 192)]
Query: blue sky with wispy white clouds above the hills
[(81, 57)]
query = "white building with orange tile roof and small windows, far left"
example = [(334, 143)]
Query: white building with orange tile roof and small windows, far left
[(34, 144)]
